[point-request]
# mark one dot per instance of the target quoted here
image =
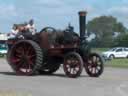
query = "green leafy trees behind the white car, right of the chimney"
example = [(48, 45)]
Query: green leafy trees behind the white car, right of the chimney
[(109, 32)]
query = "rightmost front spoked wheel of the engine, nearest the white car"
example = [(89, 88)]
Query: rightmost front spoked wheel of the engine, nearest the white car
[(94, 65)]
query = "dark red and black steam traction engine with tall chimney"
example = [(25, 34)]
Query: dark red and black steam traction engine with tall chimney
[(45, 51)]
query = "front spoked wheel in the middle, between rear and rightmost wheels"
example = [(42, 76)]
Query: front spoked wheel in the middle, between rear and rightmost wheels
[(73, 65)]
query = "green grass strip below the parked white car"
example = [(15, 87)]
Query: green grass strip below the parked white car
[(117, 63)]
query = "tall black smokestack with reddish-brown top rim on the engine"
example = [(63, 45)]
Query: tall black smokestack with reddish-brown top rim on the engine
[(82, 24)]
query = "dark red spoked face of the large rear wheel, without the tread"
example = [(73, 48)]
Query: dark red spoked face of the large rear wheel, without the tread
[(23, 58)]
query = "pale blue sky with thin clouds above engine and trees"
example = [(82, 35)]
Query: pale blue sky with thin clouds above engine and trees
[(58, 13)]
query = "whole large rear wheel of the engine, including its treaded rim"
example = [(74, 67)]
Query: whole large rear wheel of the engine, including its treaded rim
[(25, 57)]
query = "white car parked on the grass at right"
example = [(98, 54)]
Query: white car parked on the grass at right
[(118, 52)]
